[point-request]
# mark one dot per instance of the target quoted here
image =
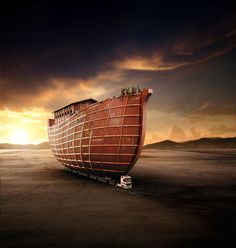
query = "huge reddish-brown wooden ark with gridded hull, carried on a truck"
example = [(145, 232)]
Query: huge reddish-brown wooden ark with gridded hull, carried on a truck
[(100, 138)]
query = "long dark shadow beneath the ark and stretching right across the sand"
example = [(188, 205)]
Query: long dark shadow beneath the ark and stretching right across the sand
[(171, 193)]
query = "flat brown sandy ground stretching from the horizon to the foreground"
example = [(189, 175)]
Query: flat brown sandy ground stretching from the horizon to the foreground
[(179, 199)]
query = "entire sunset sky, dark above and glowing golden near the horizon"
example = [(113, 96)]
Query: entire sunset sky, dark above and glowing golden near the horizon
[(53, 54)]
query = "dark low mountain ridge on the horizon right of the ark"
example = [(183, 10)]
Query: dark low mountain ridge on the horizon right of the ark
[(203, 143)]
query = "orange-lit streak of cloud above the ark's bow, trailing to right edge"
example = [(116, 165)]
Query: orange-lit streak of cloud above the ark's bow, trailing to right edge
[(185, 50)]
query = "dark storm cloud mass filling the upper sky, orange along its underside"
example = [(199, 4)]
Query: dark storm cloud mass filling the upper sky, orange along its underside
[(43, 42)]
